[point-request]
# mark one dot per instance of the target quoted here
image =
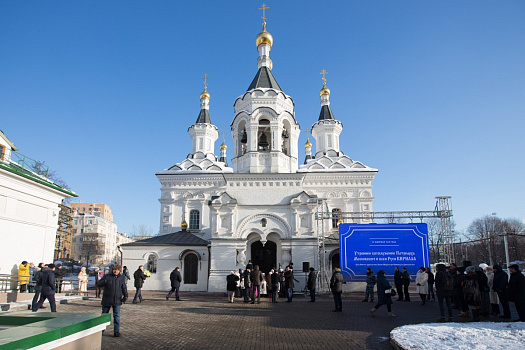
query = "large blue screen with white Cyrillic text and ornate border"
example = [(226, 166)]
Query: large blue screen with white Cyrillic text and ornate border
[(382, 247)]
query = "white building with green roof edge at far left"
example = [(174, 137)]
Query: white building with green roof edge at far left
[(29, 208)]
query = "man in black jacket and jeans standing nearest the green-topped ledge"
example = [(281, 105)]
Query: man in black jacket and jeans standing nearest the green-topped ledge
[(115, 293)]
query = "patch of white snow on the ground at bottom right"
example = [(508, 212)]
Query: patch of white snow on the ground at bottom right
[(459, 336)]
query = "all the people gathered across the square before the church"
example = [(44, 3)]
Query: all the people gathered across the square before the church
[(476, 291)]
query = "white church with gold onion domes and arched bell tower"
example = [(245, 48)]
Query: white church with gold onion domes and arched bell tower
[(215, 216)]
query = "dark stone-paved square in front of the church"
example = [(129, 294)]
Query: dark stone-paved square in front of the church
[(208, 321)]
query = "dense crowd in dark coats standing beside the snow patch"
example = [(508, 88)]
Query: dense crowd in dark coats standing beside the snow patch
[(477, 291)]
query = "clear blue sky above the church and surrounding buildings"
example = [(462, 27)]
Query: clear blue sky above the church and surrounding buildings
[(431, 93)]
